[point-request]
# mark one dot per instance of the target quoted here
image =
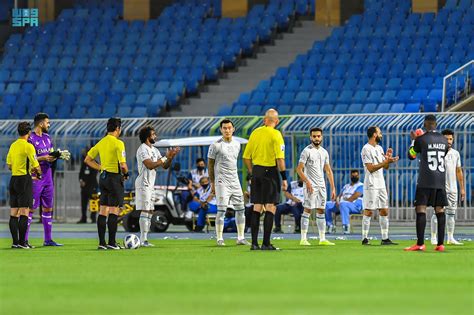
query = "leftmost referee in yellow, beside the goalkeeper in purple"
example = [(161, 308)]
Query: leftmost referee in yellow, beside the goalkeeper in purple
[(20, 157)]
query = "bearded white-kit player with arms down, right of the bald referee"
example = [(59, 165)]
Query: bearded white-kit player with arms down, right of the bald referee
[(314, 161)]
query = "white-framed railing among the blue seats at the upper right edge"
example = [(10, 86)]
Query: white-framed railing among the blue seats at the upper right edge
[(462, 84)]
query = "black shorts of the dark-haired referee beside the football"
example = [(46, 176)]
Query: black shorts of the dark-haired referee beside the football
[(111, 189)]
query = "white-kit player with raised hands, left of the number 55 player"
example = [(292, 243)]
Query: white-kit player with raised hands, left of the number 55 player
[(375, 193)]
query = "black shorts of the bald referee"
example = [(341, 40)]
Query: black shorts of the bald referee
[(266, 186)]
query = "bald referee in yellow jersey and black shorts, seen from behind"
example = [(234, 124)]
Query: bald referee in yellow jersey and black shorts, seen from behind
[(264, 157)]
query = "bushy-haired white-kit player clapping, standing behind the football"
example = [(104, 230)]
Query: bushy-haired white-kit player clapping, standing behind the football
[(148, 160)]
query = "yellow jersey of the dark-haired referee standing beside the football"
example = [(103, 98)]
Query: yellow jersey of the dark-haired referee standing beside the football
[(111, 152)]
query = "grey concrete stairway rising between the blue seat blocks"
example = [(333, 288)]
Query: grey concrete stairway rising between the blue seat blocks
[(285, 50)]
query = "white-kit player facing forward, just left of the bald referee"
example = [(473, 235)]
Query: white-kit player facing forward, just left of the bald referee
[(225, 184)]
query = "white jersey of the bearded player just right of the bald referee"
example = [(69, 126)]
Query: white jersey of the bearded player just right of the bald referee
[(314, 160)]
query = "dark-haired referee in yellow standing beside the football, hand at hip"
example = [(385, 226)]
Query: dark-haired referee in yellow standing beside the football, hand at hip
[(114, 171)]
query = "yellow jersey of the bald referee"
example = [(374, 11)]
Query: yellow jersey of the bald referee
[(265, 146)]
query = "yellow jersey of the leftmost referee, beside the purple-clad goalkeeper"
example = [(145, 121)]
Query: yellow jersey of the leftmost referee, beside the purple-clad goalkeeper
[(21, 156)]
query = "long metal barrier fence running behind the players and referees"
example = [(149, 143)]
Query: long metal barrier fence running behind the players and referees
[(344, 137)]
